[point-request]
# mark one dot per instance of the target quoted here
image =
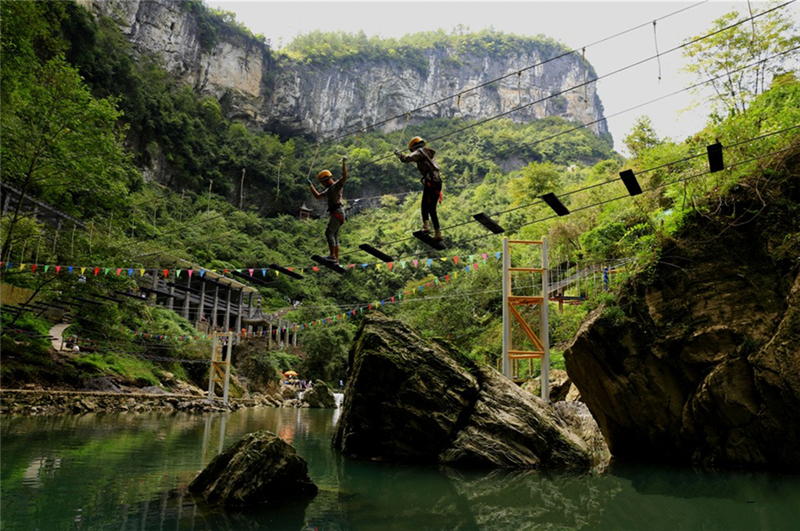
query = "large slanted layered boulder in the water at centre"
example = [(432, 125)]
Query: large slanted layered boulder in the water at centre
[(414, 400)]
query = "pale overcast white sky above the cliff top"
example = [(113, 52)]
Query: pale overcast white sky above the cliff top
[(575, 24)]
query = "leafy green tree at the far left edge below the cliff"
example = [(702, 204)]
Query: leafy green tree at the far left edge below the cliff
[(63, 145)]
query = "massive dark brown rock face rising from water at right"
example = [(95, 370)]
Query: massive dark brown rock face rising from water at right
[(705, 366)]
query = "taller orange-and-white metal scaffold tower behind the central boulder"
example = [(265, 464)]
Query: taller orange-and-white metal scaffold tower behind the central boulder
[(541, 343)]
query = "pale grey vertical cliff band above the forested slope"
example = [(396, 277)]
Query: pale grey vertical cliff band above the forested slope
[(302, 99)]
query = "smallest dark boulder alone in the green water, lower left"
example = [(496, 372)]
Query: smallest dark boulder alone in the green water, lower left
[(259, 468)]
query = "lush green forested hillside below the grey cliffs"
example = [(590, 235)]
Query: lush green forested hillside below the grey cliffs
[(82, 115)]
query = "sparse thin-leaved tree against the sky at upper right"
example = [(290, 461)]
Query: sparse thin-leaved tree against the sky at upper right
[(724, 54)]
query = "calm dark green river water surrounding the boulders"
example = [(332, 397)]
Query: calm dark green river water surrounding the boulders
[(130, 472)]
